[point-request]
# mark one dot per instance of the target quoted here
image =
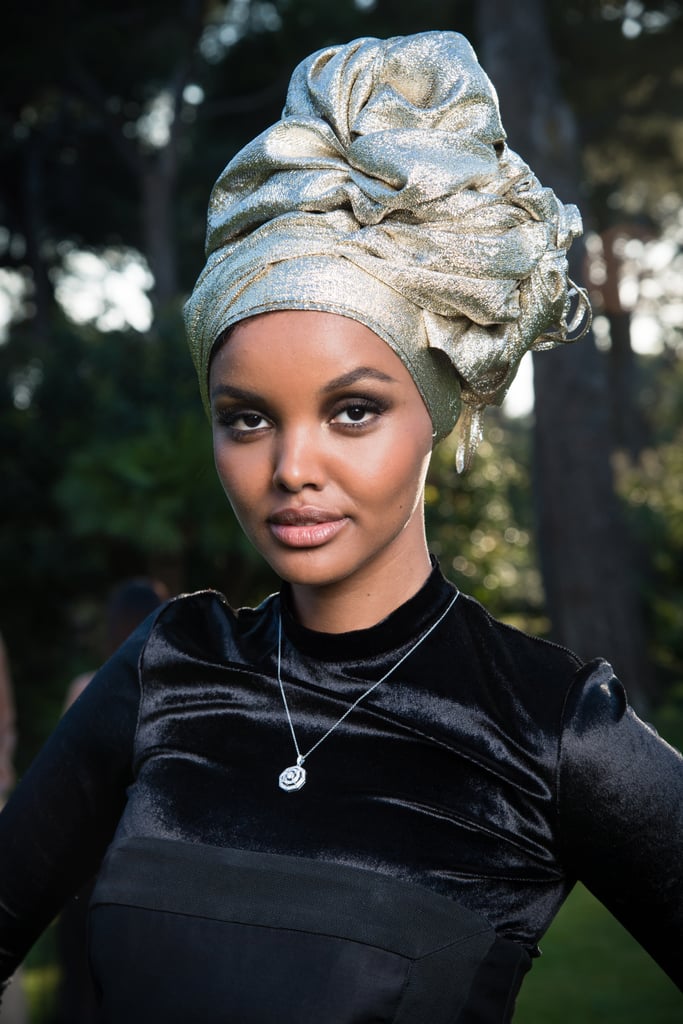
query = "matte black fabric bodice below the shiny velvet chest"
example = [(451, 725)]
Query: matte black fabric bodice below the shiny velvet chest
[(266, 940)]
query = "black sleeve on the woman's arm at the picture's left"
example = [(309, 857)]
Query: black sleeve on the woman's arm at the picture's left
[(62, 817)]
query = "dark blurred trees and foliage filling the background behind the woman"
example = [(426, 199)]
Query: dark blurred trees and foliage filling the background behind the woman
[(116, 119)]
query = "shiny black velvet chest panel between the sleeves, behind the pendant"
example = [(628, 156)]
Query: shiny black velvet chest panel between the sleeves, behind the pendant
[(445, 777)]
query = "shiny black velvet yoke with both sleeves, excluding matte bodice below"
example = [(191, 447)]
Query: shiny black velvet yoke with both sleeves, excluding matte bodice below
[(491, 769)]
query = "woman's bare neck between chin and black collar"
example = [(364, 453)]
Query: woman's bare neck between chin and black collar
[(363, 600)]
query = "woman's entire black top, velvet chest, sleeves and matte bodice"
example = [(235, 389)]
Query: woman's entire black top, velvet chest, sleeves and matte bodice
[(442, 826)]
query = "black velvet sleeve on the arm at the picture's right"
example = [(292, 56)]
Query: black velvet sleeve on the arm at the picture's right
[(621, 806)]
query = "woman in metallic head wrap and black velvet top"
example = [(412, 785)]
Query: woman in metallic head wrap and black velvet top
[(364, 800)]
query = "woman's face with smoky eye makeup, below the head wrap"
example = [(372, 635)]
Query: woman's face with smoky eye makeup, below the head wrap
[(322, 444)]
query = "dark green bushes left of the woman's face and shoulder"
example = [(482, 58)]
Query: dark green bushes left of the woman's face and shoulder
[(108, 475)]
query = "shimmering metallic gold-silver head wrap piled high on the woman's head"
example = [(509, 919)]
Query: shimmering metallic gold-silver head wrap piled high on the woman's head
[(387, 194)]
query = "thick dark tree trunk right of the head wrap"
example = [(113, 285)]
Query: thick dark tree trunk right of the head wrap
[(586, 558)]
